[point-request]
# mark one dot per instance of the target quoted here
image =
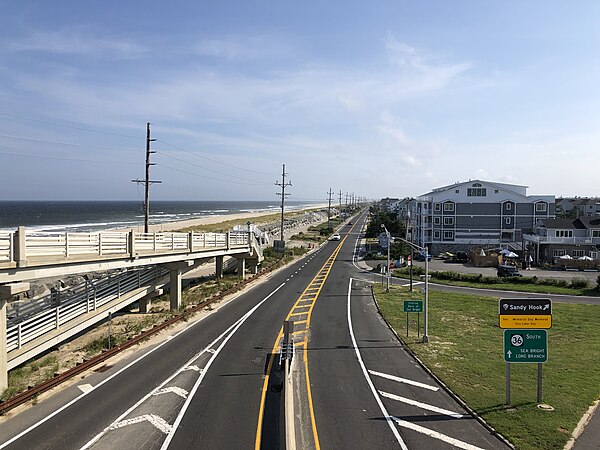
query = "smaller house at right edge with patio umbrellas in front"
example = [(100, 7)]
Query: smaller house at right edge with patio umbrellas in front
[(556, 238)]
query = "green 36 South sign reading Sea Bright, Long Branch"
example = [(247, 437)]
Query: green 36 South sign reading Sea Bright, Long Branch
[(525, 346)]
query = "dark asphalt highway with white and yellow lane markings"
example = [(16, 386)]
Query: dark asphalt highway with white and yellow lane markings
[(204, 387)]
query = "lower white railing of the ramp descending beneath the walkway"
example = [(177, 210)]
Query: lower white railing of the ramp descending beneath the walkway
[(29, 321)]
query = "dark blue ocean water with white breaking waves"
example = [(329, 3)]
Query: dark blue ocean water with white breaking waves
[(100, 215)]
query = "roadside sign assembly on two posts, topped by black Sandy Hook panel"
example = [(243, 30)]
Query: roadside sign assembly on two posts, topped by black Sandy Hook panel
[(525, 337)]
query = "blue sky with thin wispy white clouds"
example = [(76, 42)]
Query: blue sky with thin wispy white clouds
[(386, 98)]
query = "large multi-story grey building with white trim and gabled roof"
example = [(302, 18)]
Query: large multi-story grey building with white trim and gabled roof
[(475, 214)]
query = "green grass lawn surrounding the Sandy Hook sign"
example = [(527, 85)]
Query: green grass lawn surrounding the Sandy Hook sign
[(465, 351)]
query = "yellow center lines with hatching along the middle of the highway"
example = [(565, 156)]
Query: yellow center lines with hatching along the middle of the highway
[(301, 314)]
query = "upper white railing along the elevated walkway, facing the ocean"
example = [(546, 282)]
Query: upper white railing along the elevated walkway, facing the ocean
[(53, 246)]
